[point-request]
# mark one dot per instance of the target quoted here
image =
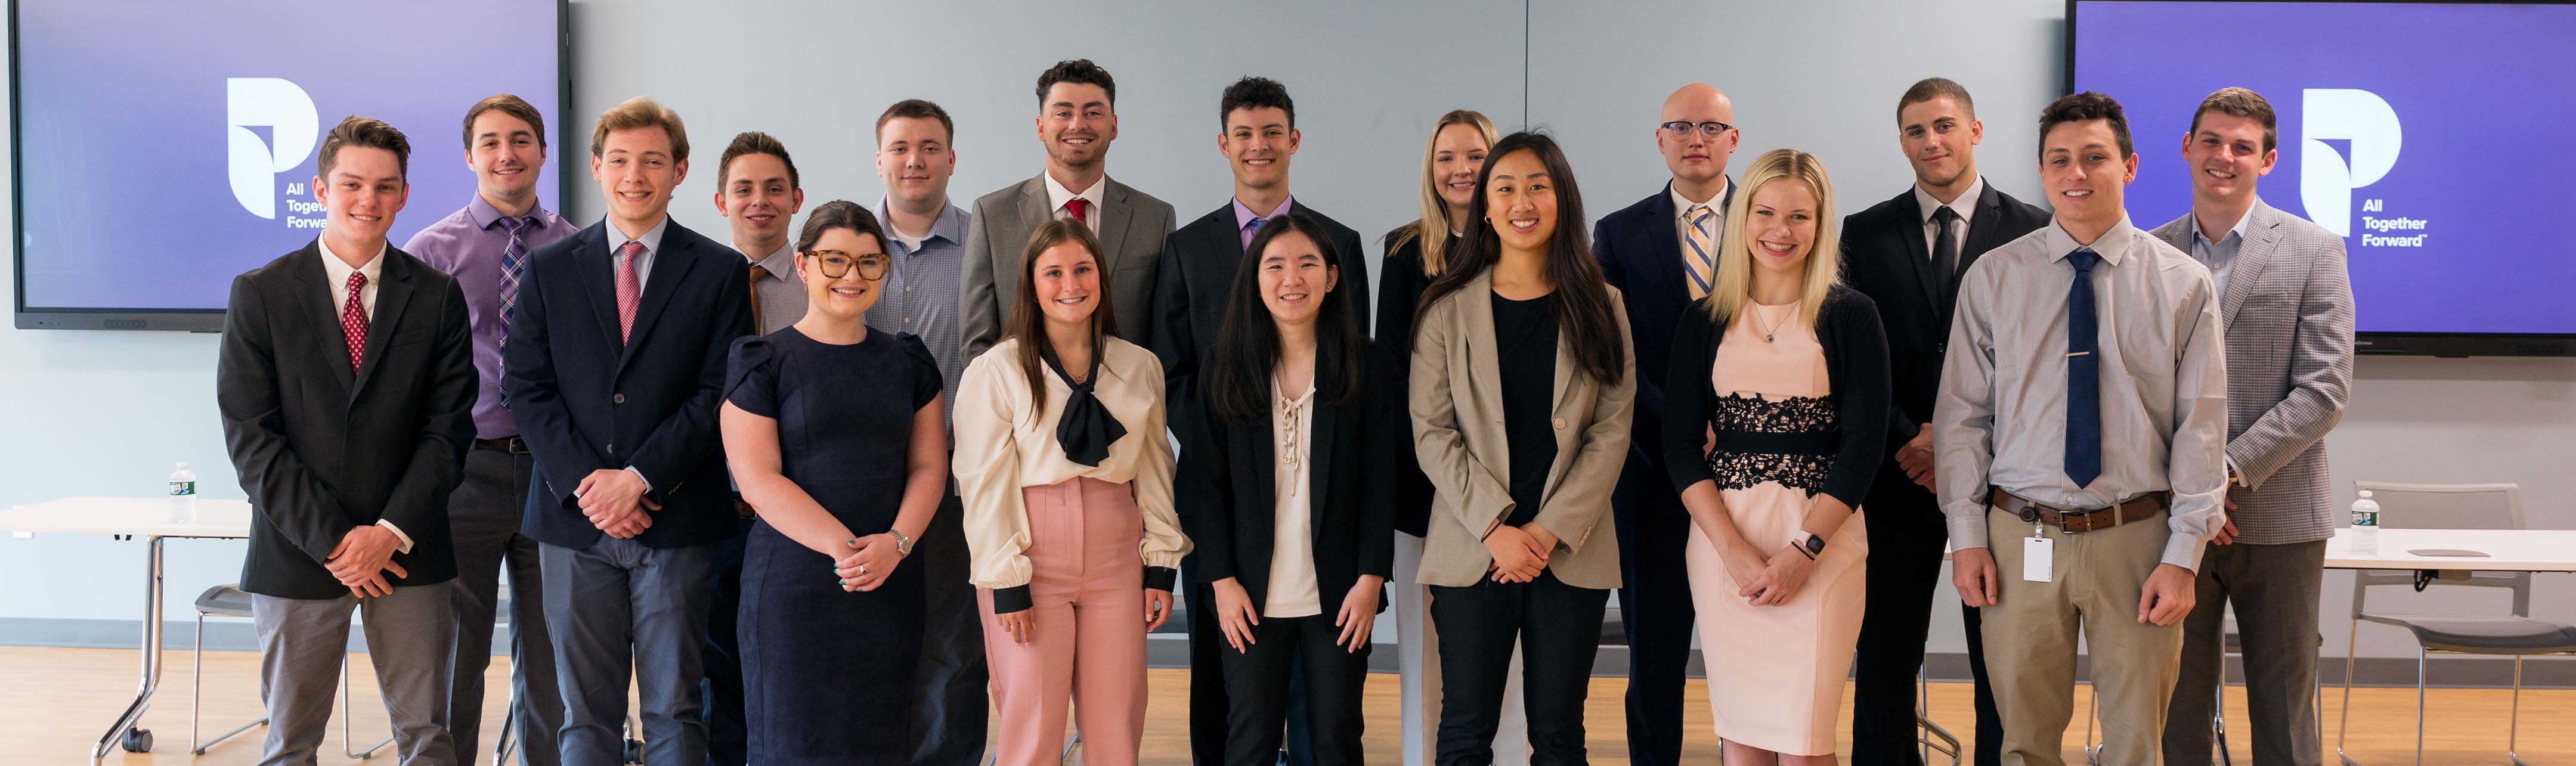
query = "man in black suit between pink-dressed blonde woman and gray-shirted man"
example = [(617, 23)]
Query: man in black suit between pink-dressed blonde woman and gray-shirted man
[(1908, 257)]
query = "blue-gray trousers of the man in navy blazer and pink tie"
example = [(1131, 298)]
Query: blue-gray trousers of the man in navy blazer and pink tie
[(622, 607)]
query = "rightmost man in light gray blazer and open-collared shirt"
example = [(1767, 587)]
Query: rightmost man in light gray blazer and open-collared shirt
[(2289, 329)]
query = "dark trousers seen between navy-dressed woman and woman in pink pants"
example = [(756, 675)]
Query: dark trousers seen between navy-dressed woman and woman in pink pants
[(949, 705)]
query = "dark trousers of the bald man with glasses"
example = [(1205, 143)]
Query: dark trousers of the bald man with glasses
[(1655, 610)]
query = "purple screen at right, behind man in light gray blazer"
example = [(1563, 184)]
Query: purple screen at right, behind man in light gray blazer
[(2430, 135)]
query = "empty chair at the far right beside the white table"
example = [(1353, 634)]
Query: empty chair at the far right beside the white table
[(2518, 636)]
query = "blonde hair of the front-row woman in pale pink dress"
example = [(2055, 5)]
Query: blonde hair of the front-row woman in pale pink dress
[(1738, 257)]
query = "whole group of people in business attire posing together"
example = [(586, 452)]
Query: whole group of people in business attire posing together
[(823, 489)]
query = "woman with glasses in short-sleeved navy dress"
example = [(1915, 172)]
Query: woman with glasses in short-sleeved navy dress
[(836, 437)]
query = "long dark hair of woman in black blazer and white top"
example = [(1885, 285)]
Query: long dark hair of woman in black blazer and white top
[(1248, 342)]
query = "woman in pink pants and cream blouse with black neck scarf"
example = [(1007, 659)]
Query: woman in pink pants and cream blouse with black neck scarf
[(1068, 484)]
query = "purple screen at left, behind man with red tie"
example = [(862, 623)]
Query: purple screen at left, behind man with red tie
[(156, 135)]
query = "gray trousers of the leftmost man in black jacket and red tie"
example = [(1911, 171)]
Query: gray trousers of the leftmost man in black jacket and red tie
[(411, 638)]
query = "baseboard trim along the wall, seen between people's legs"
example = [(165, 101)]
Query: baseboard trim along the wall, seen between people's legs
[(1173, 651)]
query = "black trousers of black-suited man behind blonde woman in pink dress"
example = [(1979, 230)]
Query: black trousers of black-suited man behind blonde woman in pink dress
[(1908, 538)]
